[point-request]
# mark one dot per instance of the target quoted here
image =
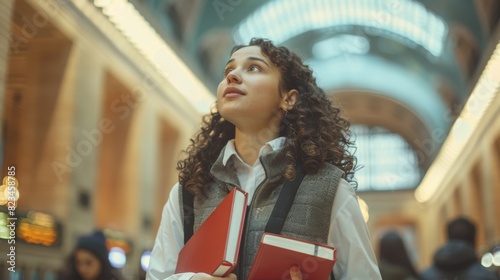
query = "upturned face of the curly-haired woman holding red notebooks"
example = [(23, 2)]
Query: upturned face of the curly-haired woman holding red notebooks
[(249, 96)]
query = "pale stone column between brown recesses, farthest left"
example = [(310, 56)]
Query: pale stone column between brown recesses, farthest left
[(85, 146)]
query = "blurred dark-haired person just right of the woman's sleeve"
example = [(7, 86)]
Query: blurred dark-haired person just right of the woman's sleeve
[(394, 262)]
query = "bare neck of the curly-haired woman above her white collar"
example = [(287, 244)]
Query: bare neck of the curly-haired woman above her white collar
[(248, 145)]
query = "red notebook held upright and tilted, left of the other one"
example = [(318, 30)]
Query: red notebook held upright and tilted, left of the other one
[(213, 248)]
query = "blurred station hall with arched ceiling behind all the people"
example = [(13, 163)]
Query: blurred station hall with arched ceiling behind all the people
[(98, 99)]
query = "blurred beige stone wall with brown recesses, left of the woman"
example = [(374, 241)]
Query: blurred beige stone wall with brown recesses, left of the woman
[(88, 128)]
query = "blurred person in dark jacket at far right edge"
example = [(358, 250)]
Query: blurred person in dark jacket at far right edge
[(457, 259)]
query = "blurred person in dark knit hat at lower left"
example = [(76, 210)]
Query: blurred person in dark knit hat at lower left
[(89, 260)]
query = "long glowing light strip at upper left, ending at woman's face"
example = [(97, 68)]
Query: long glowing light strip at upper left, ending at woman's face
[(154, 49)]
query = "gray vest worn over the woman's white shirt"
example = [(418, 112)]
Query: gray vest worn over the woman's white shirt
[(309, 216)]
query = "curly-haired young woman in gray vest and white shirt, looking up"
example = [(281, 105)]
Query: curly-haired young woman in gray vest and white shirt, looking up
[(270, 117)]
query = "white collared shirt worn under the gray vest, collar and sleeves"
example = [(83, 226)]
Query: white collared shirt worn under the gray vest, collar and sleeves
[(348, 232)]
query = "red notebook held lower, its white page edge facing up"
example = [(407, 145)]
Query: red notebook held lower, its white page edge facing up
[(278, 253)]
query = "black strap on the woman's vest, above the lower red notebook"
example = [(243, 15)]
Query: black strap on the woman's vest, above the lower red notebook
[(284, 202)]
